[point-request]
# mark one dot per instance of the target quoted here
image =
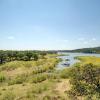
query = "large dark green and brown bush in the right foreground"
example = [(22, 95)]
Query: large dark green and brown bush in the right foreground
[(85, 80)]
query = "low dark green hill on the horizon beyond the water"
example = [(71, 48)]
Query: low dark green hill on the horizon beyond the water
[(84, 50)]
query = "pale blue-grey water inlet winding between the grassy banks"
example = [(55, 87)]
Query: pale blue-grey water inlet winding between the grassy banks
[(71, 56)]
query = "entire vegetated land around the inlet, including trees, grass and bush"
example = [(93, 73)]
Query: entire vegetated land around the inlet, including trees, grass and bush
[(31, 75)]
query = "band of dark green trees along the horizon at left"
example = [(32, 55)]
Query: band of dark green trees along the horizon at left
[(10, 55)]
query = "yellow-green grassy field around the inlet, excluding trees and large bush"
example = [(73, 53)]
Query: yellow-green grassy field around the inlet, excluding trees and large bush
[(38, 80)]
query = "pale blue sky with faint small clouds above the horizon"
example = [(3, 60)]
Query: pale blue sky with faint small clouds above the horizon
[(49, 24)]
